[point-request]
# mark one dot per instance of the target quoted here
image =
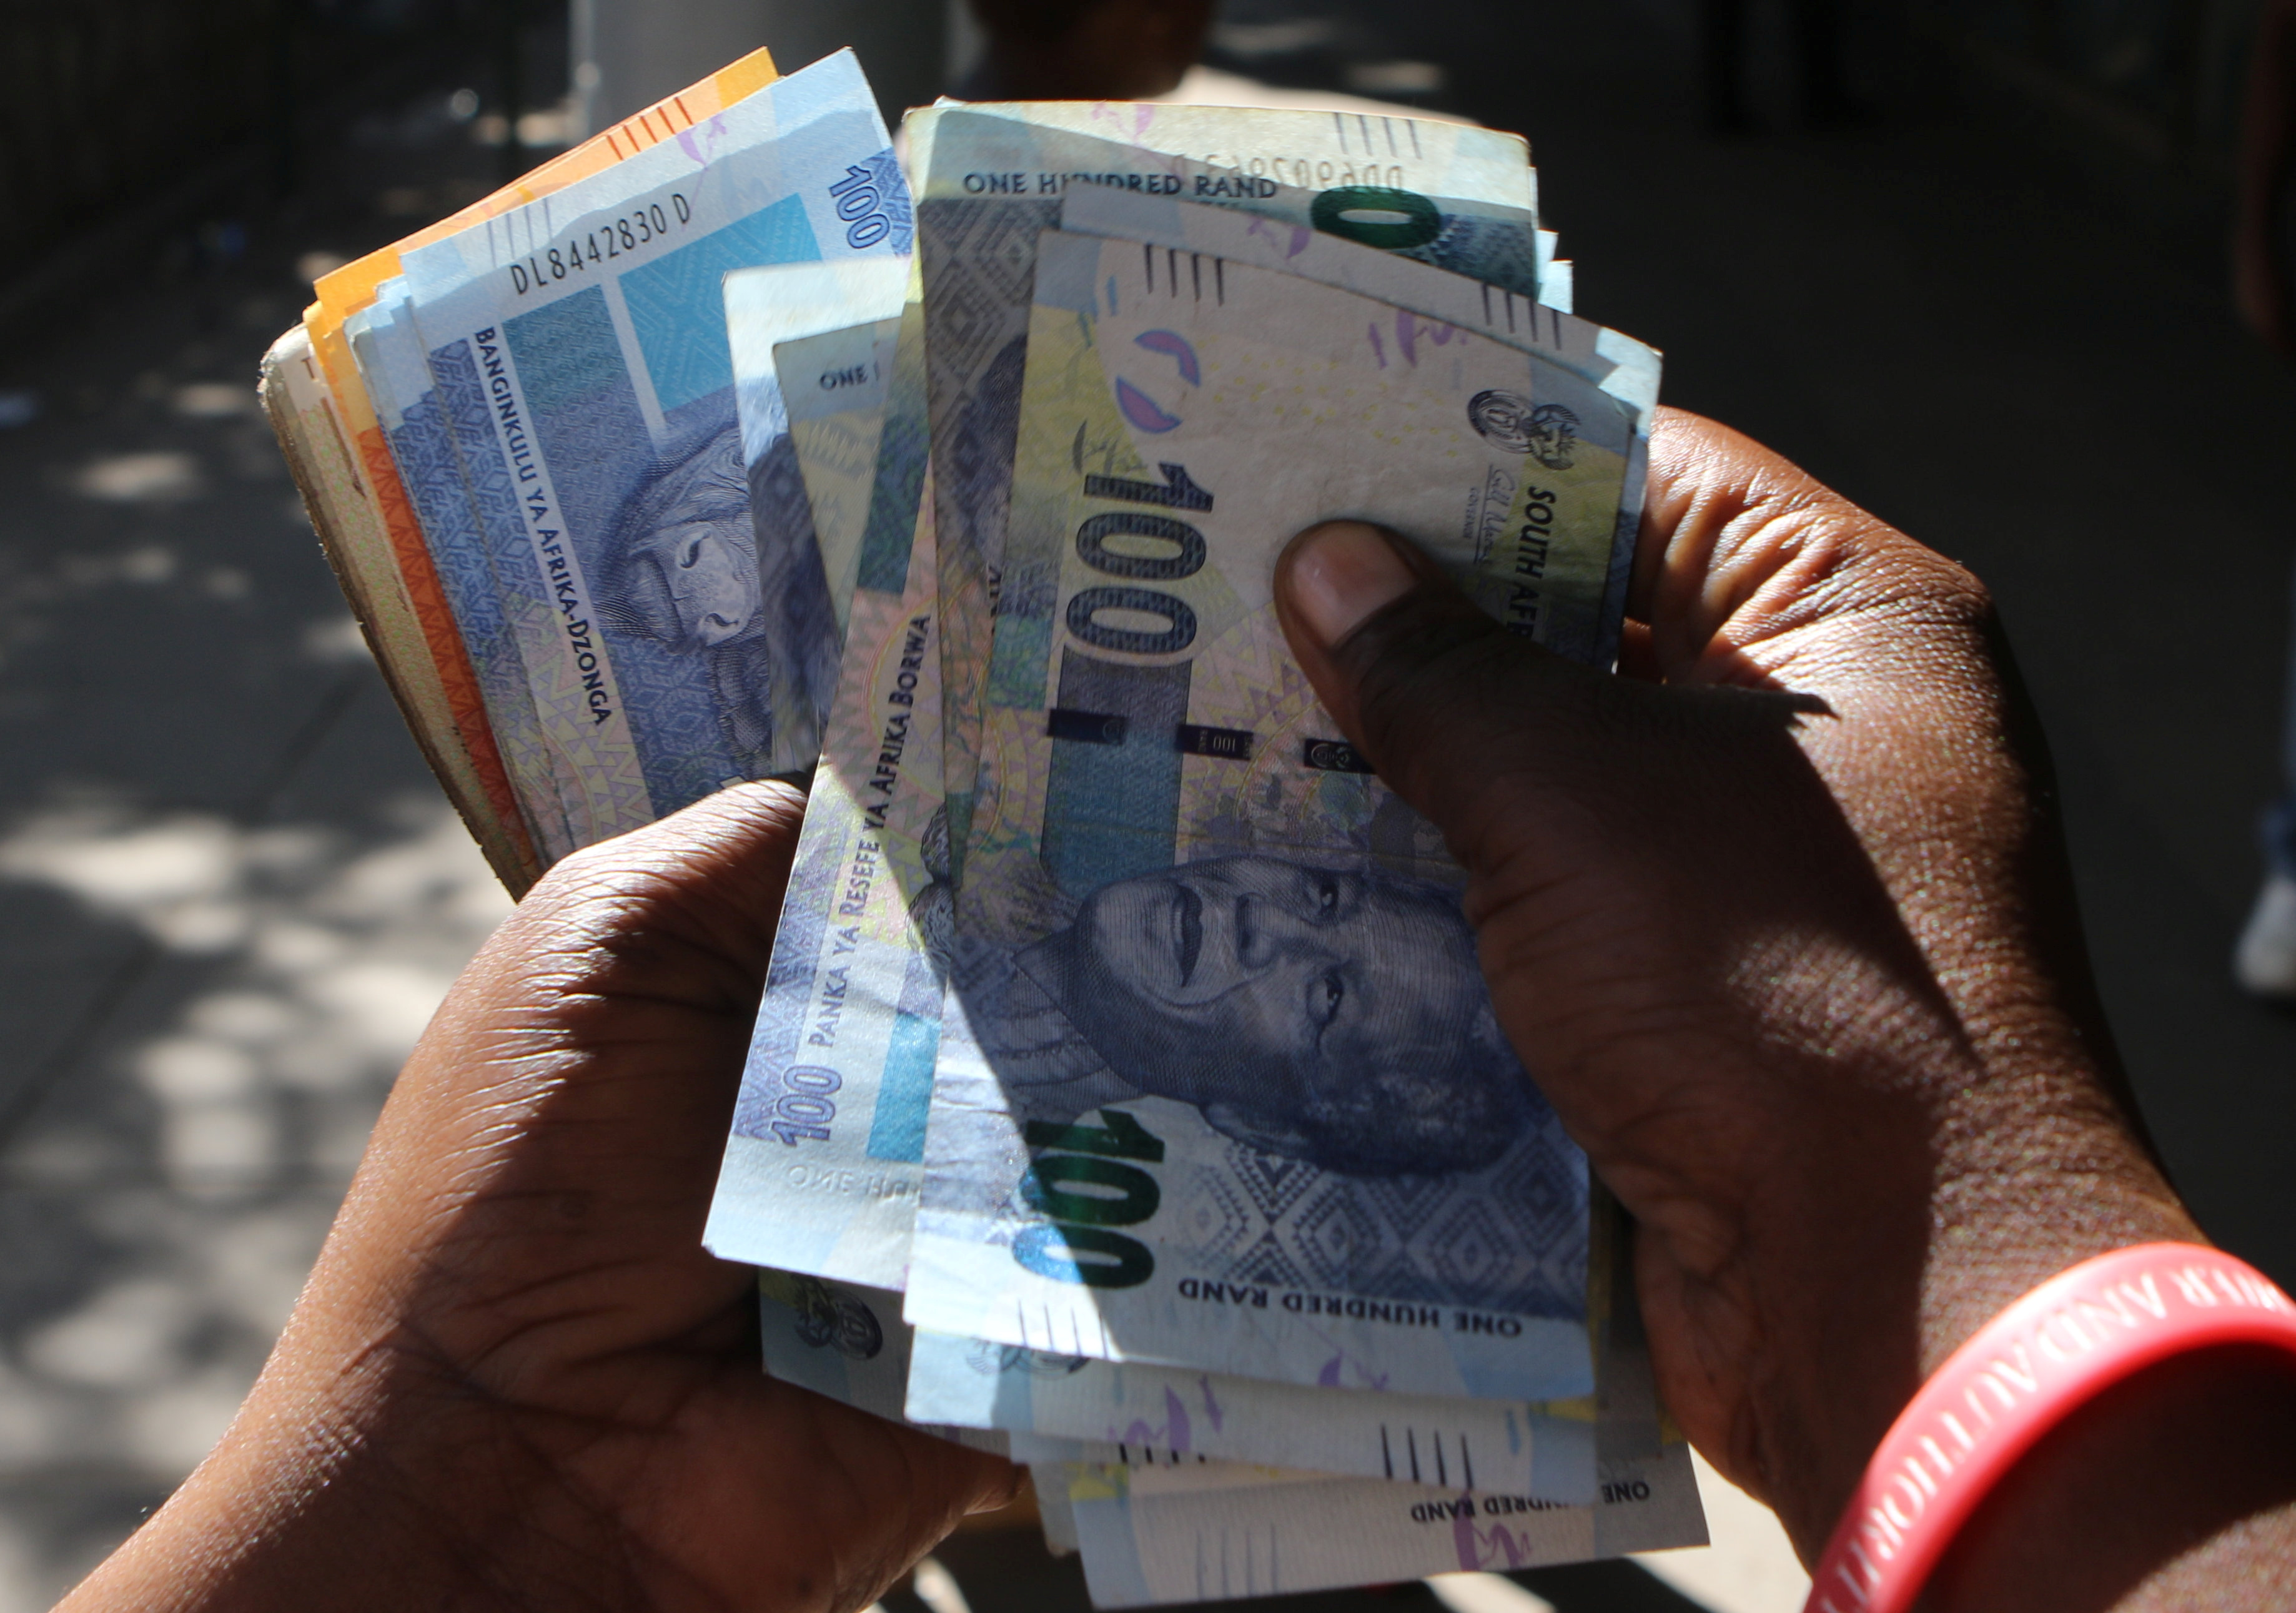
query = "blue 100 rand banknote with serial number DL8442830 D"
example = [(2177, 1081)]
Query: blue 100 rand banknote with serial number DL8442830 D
[(594, 325)]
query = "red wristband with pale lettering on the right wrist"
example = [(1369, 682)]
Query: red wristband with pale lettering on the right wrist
[(2024, 1373)]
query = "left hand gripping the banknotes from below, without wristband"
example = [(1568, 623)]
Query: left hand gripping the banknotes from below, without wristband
[(515, 1376)]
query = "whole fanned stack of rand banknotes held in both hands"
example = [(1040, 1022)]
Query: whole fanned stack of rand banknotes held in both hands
[(1124, 1096)]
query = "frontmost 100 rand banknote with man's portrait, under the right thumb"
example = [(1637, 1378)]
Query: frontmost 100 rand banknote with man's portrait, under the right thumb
[(1225, 1089)]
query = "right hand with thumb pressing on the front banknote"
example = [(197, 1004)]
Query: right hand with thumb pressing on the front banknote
[(1781, 928)]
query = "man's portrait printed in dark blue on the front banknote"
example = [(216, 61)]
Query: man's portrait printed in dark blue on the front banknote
[(1319, 1011)]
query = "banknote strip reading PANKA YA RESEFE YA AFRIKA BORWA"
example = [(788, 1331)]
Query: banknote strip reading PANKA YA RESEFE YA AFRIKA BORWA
[(830, 1130)]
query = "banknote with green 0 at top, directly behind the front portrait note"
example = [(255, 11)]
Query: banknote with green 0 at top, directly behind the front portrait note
[(993, 176)]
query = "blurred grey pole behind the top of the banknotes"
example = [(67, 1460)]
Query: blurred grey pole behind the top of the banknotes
[(630, 54)]
